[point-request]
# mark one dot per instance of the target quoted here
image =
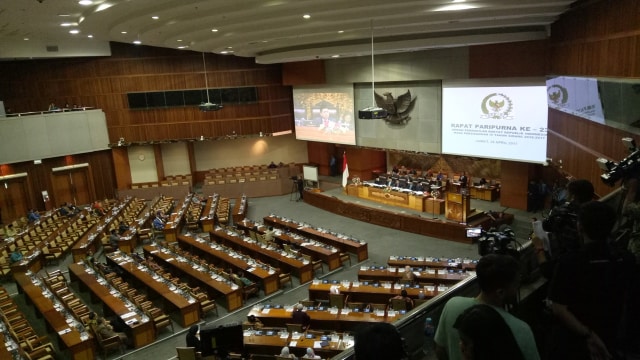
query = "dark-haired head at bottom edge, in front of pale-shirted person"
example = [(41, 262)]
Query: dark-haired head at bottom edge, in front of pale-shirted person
[(484, 335)]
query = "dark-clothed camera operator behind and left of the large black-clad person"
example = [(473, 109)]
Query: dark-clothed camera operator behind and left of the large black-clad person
[(561, 226)]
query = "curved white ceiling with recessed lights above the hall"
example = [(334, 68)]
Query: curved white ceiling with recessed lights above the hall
[(272, 31)]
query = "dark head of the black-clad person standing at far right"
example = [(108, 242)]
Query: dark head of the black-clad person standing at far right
[(595, 221)]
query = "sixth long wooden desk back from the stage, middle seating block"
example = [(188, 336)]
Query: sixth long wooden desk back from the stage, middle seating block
[(189, 311)]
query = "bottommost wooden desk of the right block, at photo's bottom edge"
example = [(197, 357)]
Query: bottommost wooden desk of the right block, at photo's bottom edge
[(272, 344)]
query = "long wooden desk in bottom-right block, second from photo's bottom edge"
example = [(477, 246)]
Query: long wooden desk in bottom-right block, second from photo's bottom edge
[(325, 319)]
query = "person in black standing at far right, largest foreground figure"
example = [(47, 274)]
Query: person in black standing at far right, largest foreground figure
[(588, 290)]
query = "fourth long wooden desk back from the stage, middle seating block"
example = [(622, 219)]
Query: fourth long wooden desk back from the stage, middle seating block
[(213, 253)]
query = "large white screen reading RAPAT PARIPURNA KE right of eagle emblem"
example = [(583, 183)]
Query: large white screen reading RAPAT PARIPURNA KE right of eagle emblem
[(507, 122)]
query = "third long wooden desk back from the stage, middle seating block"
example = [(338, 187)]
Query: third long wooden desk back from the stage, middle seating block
[(259, 252)]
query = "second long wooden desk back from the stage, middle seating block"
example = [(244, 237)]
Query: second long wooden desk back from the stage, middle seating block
[(328, 256)]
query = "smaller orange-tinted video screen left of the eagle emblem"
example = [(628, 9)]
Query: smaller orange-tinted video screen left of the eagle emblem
[(324, 114)]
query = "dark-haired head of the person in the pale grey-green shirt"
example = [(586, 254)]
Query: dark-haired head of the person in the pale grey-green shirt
[(498, 276)]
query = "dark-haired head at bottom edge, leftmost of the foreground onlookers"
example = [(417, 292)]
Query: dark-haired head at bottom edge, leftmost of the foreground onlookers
[(379, 341)]
